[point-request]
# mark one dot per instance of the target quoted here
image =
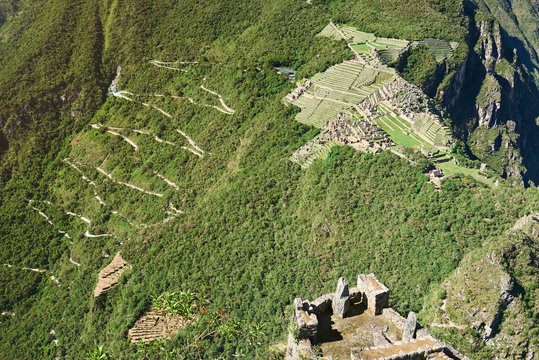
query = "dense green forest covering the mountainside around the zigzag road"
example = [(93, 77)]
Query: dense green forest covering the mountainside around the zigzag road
[(257, 229)]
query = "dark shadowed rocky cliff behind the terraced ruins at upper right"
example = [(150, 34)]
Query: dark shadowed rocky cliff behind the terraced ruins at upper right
[(492, 102)]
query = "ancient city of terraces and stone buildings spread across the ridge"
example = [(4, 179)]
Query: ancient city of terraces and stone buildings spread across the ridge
[(361, 102)]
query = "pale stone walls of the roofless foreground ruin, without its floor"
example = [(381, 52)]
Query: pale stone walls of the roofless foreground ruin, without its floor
[(417, 344)]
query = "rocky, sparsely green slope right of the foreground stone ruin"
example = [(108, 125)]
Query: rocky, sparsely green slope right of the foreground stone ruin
[(492, 297)]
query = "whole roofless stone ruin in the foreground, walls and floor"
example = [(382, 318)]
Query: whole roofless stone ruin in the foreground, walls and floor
[(408, 342)]
